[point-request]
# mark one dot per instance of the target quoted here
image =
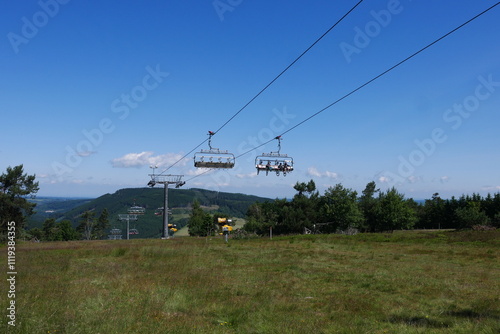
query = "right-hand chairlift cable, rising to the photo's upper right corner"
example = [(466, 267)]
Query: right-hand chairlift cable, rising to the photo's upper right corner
[(368, 82)]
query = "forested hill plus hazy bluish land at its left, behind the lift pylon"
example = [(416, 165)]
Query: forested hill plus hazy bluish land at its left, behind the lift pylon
[(149, 224)]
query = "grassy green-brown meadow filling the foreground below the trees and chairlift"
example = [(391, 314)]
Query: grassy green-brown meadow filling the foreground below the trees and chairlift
[(404, 282)]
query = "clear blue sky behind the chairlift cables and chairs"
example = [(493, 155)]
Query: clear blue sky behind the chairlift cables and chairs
[(92, 94)]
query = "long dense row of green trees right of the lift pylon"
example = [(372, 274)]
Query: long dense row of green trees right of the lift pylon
[(340, 209)]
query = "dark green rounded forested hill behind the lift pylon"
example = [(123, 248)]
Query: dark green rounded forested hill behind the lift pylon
[(179, 200)]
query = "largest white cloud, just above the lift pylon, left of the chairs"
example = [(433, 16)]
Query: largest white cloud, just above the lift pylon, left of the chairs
[(137, 160)]
